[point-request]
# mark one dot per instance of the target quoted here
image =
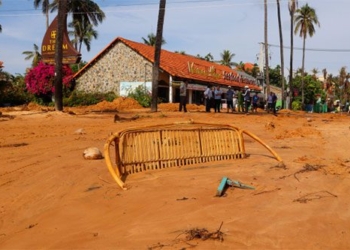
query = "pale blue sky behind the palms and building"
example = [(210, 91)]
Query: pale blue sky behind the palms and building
[(194, 26)]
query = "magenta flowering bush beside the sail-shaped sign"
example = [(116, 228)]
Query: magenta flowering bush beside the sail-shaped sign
[(41, 79)]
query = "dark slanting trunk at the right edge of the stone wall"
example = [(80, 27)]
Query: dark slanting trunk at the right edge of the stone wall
[(157, 51)]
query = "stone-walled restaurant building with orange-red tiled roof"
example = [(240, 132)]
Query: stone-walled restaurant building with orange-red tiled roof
[(123, 64)]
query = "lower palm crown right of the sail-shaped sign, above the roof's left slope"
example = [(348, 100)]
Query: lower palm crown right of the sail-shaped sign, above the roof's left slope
[(83, 33)]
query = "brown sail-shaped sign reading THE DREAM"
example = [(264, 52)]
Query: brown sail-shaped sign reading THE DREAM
[(48, 46)]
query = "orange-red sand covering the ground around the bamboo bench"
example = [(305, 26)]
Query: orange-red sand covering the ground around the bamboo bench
[(52, 198)]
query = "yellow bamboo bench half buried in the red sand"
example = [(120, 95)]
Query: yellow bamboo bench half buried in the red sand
[(172, 145)]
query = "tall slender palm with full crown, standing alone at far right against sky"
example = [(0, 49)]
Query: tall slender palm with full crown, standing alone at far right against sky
[(305, 20)]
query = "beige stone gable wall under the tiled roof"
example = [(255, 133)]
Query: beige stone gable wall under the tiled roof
[(118, 64)]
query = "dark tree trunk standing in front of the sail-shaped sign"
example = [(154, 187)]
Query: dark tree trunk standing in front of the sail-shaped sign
[(61, 21)]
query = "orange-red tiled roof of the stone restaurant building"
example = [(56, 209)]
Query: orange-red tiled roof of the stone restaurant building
[(182, 66)]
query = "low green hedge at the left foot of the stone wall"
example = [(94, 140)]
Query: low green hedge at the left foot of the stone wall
[(77, 98)]
